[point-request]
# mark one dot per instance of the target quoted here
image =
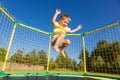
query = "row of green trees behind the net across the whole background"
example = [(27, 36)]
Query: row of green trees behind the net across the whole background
[(104, 58)]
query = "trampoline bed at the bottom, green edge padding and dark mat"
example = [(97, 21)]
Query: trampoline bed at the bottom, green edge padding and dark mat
[(53, 76)]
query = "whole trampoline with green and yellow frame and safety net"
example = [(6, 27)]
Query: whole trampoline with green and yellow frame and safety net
[(26, 53)]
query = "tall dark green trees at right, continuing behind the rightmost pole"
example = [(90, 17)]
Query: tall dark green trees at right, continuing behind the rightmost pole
[(104, 58)]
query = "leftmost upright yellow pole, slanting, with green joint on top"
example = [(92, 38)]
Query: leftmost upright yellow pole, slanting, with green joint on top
[(9, 46)]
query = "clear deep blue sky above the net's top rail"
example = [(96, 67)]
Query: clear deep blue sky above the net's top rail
[(92, 14)]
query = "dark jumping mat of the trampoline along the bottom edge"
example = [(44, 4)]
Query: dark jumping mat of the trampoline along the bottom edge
[(45, 78)]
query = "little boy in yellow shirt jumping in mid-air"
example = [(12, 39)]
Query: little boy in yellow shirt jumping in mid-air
[(58, 42)]
